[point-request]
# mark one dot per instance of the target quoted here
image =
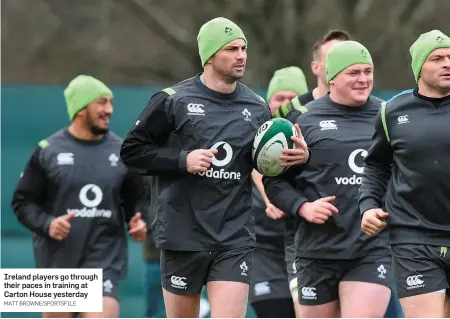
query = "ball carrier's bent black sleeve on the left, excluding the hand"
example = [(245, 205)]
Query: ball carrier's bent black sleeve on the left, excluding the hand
[(144, 149)]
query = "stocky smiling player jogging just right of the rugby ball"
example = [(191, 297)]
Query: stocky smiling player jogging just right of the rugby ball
[(339, 270)]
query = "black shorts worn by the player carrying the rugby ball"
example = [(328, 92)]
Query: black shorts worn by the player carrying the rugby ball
[(186, 272)]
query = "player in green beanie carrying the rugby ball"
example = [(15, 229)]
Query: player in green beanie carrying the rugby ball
[(196, 137)]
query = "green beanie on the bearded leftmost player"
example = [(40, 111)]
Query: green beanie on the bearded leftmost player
[(83, 90)]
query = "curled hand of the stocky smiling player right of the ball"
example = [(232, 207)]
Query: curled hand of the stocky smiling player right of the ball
[(318, 211)]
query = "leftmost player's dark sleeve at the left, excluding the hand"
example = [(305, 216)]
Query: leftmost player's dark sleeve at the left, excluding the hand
[(29, 197)]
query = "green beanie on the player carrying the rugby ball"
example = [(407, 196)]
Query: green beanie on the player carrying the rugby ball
[(214, 34)]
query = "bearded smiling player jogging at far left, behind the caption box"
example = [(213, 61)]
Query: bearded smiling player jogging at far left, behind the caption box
[(76, 195)]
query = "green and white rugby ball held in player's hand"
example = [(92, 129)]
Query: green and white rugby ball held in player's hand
[(271, 139)]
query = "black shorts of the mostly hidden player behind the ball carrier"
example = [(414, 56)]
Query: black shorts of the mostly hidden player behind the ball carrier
[(269, 278)]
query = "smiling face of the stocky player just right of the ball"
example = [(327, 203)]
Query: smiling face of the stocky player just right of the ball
[(354, 84)]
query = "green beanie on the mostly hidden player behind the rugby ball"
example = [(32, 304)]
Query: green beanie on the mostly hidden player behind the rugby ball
[(287, 79)]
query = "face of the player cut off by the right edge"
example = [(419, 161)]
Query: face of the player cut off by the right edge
[(435, 71)]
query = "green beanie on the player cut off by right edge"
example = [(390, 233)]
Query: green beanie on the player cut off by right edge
[(423, 46)]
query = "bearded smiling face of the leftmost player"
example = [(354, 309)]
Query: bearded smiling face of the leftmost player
[(98, 114)]
